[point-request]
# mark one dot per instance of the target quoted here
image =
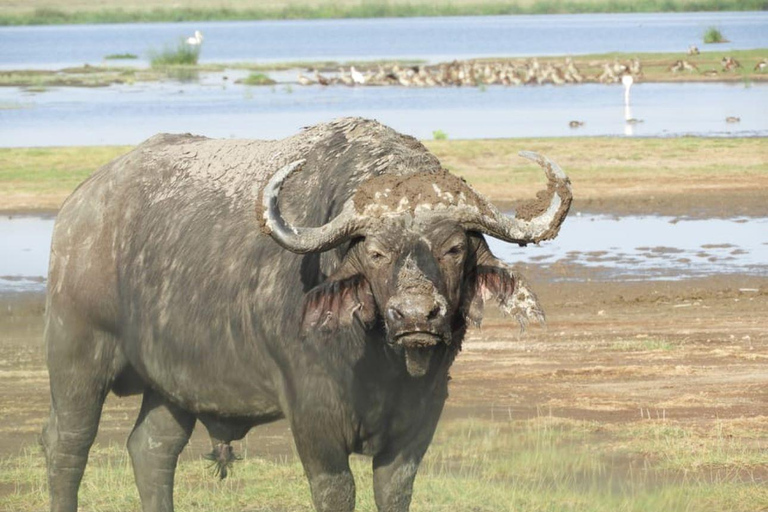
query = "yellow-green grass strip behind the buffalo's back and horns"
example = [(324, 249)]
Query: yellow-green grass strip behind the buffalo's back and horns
[(600, 168)]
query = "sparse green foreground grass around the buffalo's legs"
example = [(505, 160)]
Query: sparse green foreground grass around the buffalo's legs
[(542, 464)]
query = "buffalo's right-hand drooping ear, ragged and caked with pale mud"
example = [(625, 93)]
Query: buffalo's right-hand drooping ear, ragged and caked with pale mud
[(509, 290)]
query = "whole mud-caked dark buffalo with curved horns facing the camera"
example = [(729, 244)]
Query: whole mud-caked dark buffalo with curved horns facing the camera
[(327, 278)]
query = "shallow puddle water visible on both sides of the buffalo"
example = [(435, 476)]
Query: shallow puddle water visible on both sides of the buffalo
[(609, 247)]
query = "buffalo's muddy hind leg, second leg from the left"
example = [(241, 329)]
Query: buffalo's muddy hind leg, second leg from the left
[(161, 432)]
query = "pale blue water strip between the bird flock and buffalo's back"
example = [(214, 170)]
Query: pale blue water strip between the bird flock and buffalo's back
[(128, 114)]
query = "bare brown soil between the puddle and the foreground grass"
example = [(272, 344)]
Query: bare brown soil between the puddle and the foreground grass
[(693, 351)]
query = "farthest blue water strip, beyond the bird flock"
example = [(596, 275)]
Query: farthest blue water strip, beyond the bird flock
[(432, 39)]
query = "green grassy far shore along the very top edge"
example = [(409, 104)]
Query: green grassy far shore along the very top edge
[(42, 12)]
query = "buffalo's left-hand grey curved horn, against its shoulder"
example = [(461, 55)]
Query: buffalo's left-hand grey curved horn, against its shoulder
[(304, 239)]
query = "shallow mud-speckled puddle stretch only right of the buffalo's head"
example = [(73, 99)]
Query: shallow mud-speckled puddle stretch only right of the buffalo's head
[(649, 247)]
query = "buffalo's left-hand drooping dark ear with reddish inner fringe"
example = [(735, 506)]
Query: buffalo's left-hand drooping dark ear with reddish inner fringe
[(338, 303)]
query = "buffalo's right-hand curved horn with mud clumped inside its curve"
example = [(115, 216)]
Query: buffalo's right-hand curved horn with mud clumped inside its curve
[(543, 226)]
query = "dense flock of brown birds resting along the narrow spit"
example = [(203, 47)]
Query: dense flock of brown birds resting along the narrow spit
[(474, 73)]
